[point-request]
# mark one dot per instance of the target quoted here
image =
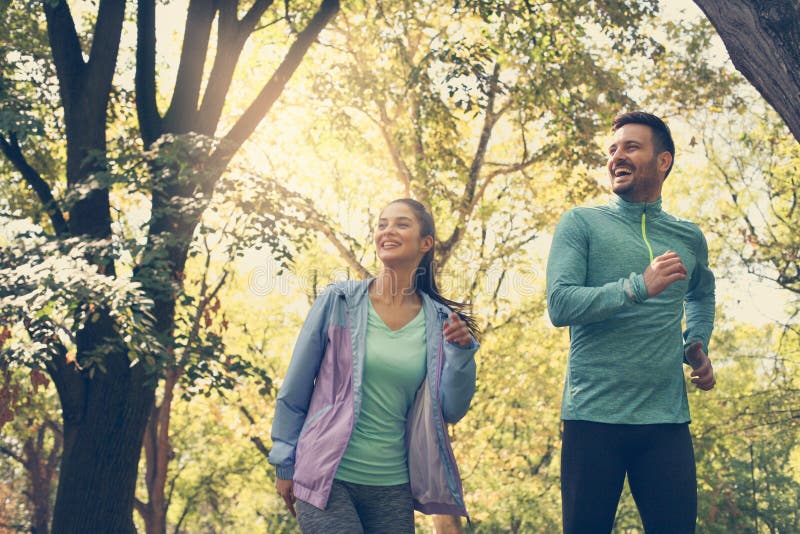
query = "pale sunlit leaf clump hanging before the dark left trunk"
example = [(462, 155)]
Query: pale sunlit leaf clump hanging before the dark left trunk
[(50, 289)]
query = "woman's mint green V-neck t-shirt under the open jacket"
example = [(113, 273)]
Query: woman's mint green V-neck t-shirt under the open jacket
[(394, 368)]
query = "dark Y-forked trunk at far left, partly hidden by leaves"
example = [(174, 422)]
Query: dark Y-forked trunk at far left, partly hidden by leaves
[(104, 416)]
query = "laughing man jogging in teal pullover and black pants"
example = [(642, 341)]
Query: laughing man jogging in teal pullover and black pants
[(620, 276)]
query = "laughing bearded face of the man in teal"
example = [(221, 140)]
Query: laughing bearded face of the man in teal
[(635, 170)]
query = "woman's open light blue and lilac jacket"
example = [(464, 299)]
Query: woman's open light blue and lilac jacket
[(320, 400)]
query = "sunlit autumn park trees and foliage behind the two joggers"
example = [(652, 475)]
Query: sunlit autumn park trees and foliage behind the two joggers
[(169, 212)]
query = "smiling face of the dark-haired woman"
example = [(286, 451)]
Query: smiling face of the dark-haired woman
[(398, 238)]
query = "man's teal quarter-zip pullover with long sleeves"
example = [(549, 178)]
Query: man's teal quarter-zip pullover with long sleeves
[(627, 350)]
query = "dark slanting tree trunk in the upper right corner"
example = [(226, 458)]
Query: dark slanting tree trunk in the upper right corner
[(763, 40)]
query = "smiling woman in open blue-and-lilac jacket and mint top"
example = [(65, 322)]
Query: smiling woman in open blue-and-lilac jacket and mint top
[(380, 366)]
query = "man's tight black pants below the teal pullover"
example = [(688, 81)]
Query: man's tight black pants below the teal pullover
[(659, 462)]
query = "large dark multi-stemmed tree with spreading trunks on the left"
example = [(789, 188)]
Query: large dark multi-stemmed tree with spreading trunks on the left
[(105, 413)]
